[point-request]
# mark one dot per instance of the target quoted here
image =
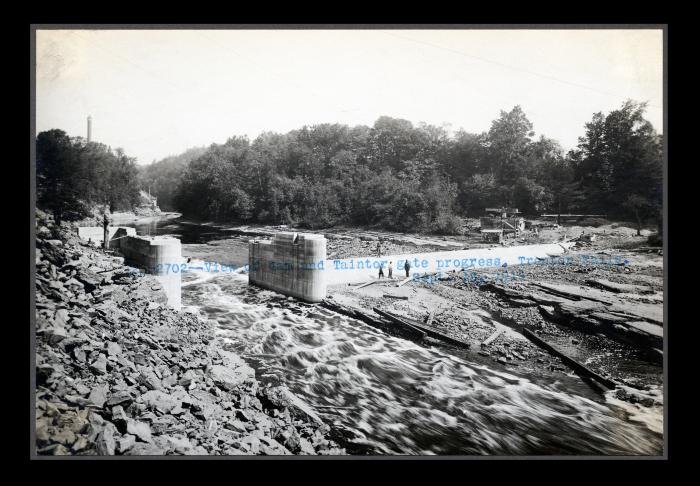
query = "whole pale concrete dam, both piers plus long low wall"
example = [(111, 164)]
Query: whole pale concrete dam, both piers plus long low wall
[(295, 264)]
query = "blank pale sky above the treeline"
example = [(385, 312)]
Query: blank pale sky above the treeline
[(158, 92)]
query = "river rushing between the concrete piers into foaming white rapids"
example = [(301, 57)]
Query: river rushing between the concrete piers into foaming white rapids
[(386, 395)]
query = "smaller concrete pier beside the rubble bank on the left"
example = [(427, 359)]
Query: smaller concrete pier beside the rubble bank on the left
[(160, 256)]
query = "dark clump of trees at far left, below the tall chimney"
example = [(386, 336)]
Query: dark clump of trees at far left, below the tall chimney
[(73, 176)]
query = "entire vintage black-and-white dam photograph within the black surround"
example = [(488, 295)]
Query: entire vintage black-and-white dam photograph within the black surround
[(359, 242)]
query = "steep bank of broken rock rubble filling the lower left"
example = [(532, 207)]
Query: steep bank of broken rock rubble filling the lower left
[(119, 373)]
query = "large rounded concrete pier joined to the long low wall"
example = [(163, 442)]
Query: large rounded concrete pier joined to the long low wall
[(291, 263)]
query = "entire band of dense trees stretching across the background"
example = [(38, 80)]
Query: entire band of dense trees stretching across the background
[(393, 175)]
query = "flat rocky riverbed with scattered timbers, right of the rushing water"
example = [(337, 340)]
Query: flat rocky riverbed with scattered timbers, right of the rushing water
[(604, 308)]
